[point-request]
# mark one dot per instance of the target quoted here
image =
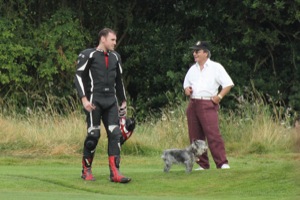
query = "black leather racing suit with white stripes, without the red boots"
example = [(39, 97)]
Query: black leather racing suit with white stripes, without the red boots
[(99, 78)]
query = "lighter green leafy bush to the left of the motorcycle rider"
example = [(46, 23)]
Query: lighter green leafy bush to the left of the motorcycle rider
[(39, 63)]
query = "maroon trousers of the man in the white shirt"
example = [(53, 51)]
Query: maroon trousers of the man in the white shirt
[(203, 124)]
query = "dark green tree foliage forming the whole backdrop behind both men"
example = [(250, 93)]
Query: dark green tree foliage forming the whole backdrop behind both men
[(256, 41)]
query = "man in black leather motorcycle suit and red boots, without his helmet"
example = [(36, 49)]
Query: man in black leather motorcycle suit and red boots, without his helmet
[(98, 80)]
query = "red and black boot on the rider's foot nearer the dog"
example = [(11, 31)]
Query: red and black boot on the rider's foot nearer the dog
[(115, 175)]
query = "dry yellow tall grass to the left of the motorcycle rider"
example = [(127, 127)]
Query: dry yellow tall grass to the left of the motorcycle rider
[(42, 134)]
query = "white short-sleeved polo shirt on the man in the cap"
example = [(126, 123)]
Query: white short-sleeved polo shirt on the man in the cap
[(205, 83)]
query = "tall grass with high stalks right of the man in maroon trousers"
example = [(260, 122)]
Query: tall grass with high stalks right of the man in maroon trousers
[(259, 127)]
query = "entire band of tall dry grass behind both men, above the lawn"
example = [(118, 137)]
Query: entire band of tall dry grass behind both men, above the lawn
[(251, 129)]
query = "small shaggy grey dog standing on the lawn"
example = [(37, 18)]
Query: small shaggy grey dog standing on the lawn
[(185, 156)]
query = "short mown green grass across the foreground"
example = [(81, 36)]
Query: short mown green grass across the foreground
[(269, 176)]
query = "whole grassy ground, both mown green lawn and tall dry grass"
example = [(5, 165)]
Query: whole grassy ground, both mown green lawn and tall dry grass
[(40, 158)]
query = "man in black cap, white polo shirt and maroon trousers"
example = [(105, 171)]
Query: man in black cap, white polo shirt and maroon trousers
[(201, 84)]
